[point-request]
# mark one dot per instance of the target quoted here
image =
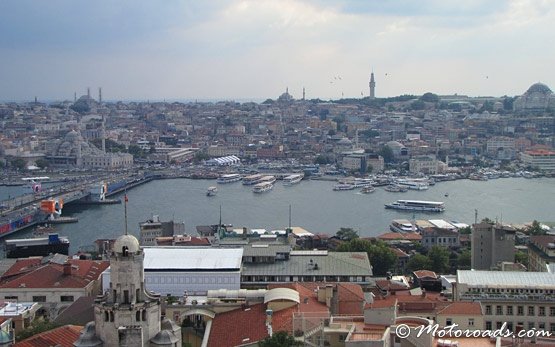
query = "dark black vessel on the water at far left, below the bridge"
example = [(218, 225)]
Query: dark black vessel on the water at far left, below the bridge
[(40, 246)]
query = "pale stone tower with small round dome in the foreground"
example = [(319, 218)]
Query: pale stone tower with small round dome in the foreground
[(127, 315)]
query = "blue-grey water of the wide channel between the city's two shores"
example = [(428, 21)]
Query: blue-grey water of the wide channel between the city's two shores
[(315, 206)]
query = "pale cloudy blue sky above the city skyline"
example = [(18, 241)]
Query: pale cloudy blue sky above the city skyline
[(255, 49)]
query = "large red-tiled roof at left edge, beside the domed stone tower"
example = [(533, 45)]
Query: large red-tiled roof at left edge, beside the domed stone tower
[(52, 276)]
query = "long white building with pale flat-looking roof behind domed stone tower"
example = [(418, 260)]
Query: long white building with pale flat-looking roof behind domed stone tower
[(174, 270)]
